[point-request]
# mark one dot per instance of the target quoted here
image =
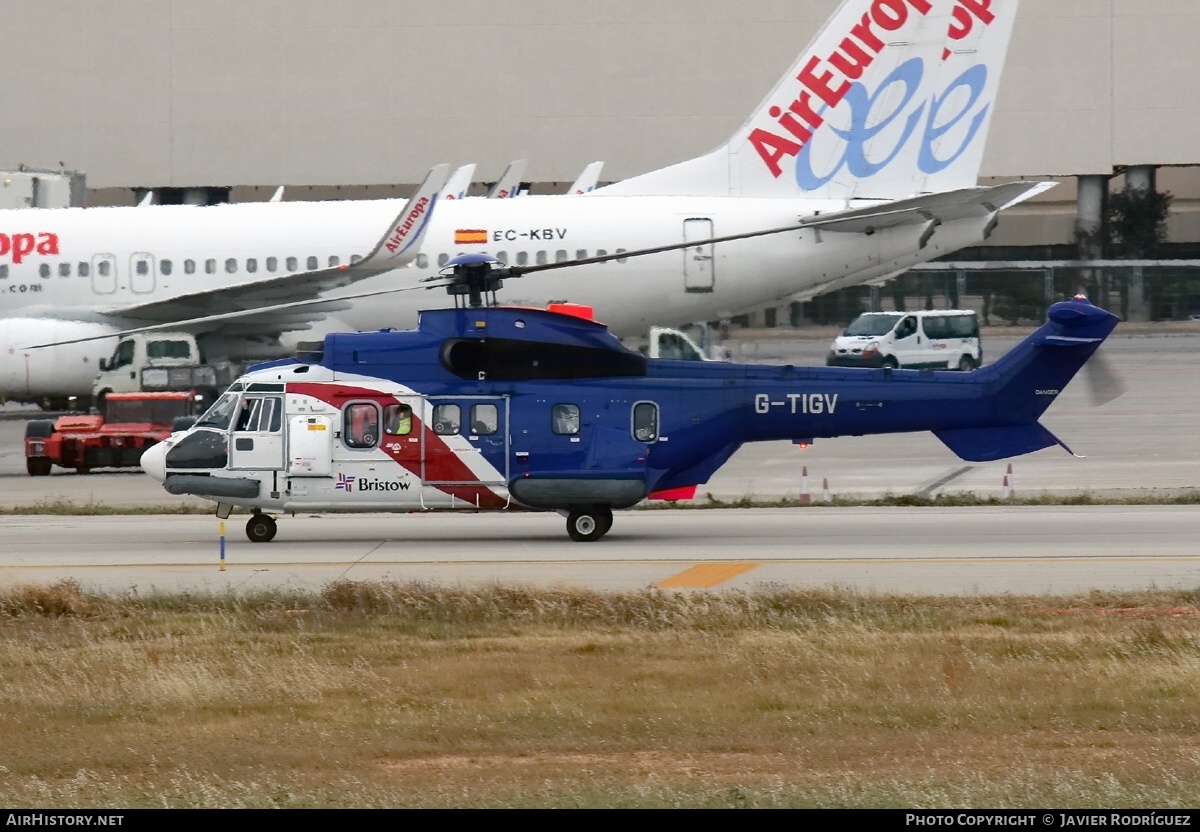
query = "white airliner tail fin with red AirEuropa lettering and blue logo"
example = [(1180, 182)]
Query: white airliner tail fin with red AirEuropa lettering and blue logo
[(891, 100)]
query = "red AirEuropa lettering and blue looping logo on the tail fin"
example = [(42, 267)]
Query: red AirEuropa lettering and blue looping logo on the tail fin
[(827, 88)]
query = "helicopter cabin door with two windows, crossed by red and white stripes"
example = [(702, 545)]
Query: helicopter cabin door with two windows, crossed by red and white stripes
[(467, 441)]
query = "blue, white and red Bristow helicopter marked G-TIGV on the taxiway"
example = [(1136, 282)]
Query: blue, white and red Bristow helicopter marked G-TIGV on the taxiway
[(488, 408)]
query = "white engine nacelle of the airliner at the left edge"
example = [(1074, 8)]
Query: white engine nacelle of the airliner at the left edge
[(51, 373)]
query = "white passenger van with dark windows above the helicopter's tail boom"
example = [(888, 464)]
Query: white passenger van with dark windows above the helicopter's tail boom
[(937, 339)]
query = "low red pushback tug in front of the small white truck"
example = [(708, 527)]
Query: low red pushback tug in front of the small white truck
[(134, 423)]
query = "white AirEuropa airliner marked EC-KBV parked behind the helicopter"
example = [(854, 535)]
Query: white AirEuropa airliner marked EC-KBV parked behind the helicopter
[(878, 130)]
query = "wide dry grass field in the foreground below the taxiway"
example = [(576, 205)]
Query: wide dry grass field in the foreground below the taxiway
[(385, 695)]
